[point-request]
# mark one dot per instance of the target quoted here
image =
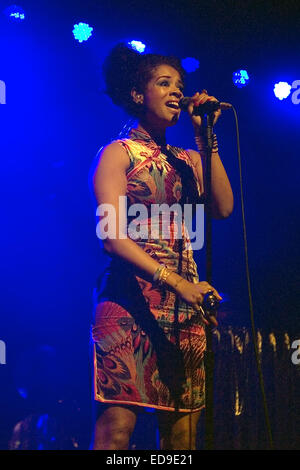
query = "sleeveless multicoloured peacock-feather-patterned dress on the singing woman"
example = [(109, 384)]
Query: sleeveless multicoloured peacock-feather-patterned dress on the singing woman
[(148, 343)]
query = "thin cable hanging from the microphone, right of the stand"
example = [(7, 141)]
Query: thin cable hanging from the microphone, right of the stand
[(254, 336)]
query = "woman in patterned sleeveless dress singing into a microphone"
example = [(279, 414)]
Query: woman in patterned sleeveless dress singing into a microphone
[(148, 331)]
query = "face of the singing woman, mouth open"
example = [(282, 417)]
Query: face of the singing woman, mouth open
[(161, 97)]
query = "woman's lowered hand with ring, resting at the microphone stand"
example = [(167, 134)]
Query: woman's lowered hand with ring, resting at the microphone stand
[(193, 294)]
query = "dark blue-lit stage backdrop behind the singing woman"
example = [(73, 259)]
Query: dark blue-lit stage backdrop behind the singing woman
[(55, 120)]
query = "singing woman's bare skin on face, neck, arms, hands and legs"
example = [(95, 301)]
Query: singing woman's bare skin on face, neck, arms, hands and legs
[(115, 425)]
